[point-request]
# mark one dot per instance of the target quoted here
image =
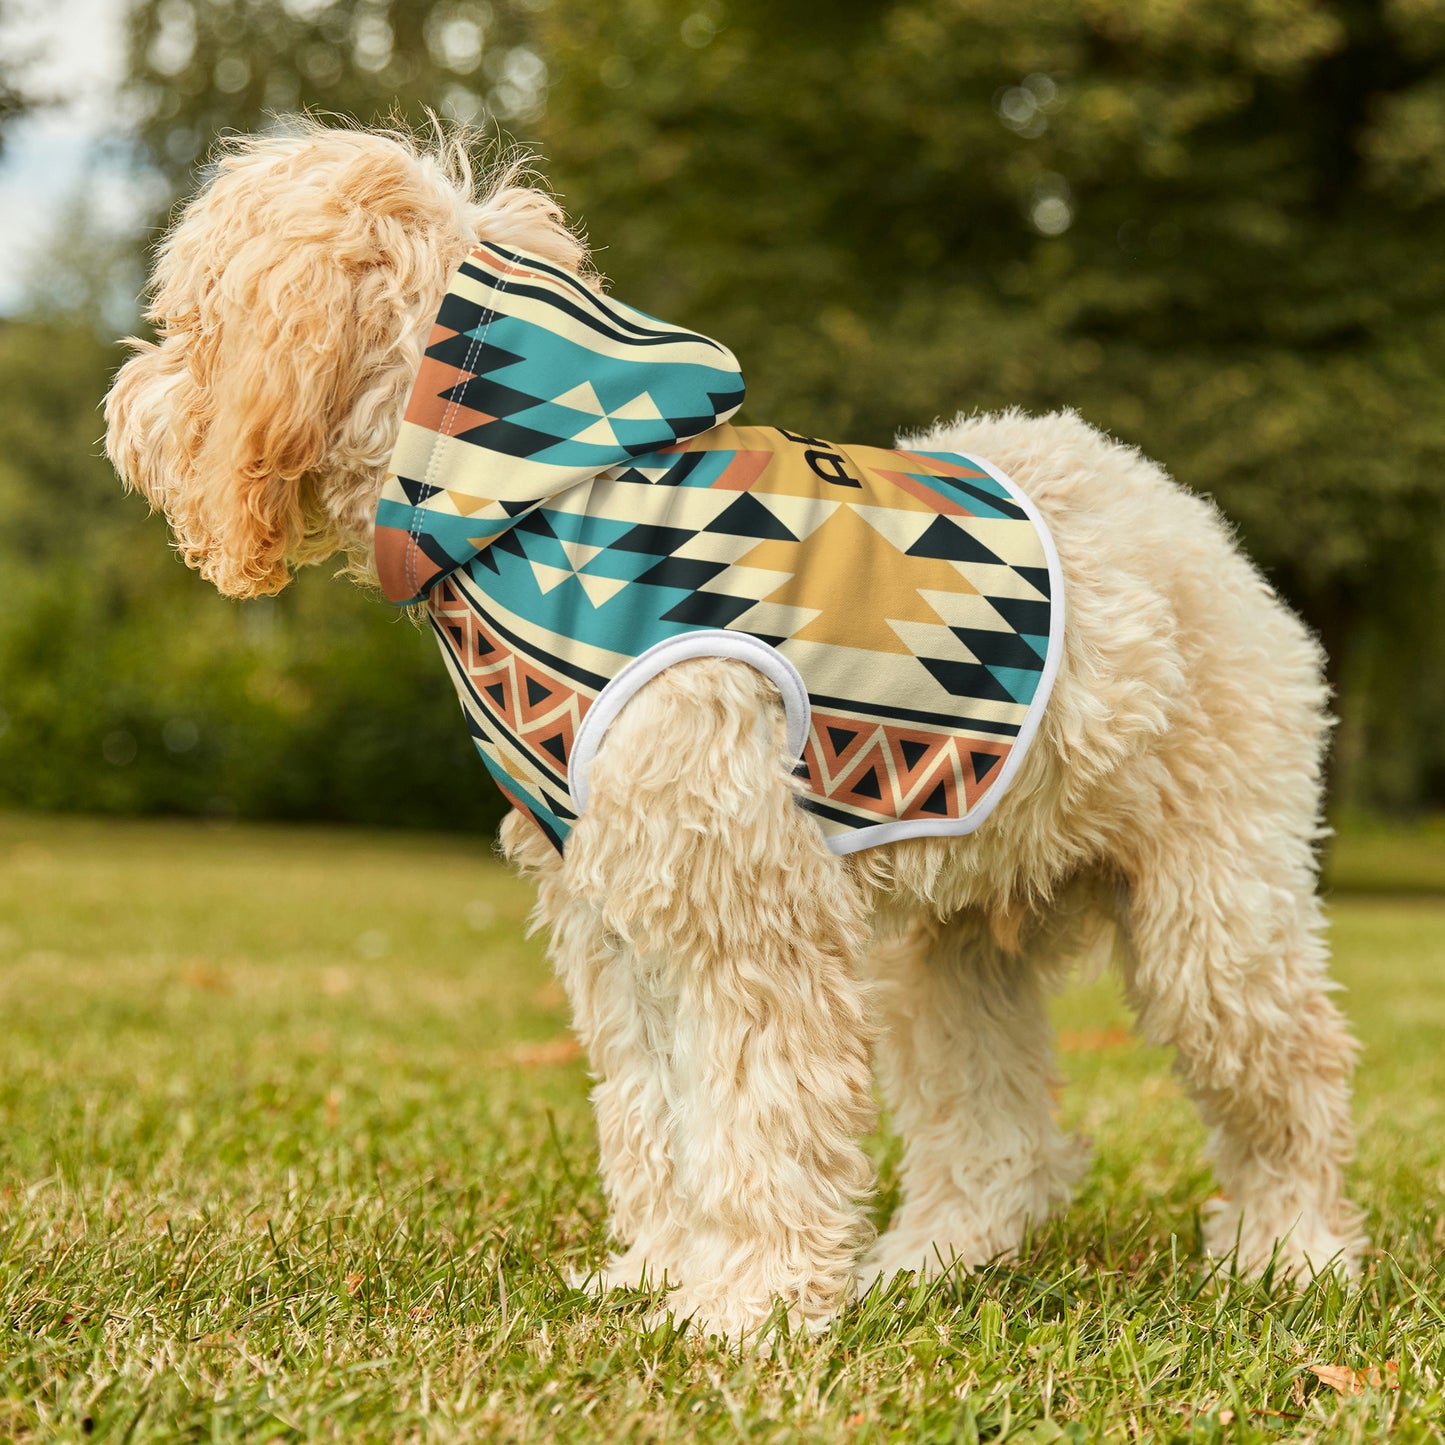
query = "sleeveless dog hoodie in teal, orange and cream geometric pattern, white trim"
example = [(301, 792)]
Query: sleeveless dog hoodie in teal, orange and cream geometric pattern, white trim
[(574, 508)]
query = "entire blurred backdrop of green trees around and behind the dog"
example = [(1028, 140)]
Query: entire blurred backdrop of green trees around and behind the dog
[(1215, 228)]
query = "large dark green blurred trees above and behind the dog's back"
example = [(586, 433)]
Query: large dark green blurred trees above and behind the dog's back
[(1217, 229)]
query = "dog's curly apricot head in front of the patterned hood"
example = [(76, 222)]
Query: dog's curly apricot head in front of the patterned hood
[(293, 301)]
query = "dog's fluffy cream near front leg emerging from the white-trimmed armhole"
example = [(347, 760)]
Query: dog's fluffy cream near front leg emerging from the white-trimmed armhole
[(745, 934)]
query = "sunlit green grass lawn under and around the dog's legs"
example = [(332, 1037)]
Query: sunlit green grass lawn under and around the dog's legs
[(294, 1147)]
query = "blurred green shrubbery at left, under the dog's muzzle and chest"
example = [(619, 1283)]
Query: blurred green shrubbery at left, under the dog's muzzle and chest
[(129, 686)]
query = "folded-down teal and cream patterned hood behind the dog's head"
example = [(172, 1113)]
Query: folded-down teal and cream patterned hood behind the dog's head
[(531, 385)]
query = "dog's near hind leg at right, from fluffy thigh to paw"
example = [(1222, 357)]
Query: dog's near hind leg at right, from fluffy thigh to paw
[(1215, 839)]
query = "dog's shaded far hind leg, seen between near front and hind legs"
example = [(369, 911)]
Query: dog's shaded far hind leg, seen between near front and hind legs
[(966, 1058)]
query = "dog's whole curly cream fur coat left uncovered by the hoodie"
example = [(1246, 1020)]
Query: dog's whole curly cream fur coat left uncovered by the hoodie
[(729, 976)]
